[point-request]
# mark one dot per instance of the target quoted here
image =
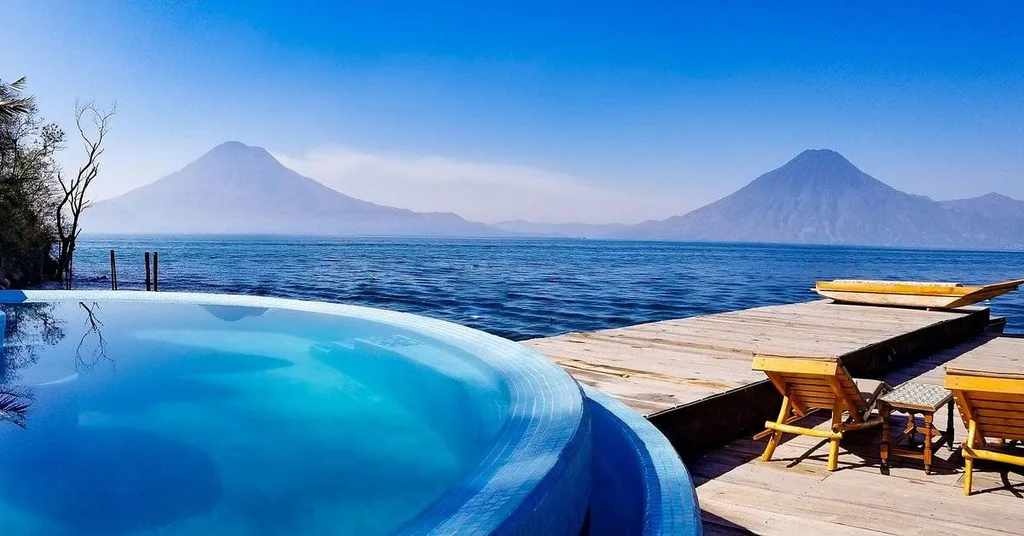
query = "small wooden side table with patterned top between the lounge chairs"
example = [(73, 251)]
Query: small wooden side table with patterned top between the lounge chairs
[(914, 399)]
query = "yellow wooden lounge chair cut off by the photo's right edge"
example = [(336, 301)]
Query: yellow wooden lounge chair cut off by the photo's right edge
[(991, 398)]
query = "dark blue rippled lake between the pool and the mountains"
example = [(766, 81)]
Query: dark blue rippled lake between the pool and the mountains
[(525, 288)]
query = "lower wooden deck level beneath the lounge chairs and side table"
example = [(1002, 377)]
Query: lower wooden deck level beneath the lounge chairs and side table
[(795, 493)]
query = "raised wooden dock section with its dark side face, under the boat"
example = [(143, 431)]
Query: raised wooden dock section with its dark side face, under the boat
[(693, 378)]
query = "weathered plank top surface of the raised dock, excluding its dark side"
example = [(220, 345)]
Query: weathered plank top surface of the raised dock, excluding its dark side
[(659, 366)]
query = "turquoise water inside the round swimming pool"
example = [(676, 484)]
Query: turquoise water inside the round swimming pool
[(160, 420)]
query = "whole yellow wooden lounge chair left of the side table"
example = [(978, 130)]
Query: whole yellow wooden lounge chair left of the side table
[(813, 384)]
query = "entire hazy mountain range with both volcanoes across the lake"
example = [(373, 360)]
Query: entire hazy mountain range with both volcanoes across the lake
[(817, 198)]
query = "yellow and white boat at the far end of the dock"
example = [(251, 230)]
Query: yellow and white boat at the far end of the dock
[(912, 294)]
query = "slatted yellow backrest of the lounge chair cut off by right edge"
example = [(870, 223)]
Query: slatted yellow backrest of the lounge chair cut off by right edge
[(995, 401)]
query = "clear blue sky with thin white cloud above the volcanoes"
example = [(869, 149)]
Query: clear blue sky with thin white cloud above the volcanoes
[(548, 111)]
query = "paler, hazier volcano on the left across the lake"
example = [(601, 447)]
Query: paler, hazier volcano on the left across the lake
[(238, 189)]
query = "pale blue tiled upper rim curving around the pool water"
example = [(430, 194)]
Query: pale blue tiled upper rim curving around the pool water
[(546, 422)]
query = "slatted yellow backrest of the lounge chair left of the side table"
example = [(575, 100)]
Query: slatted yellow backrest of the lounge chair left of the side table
[(815, 384)]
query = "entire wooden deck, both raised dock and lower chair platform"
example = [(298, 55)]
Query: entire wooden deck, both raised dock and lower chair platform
[(693, 379)]
